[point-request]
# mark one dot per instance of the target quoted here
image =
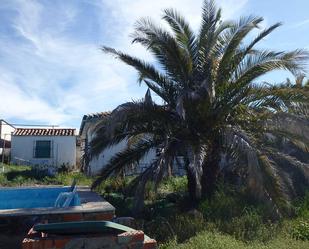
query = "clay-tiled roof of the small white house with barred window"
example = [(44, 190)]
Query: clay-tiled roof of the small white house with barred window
[(44, 132)]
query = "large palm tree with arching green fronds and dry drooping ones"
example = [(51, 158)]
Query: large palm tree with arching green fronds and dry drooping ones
[(211, 105)]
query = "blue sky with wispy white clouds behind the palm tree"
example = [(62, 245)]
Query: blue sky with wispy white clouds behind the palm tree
[(51, 68)]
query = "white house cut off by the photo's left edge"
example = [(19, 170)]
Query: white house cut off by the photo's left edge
[(6, 130)]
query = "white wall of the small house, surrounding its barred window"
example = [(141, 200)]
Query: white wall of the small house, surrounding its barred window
[(63, 150)]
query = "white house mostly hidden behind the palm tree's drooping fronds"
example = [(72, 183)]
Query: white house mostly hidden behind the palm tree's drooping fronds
[(93, 165)]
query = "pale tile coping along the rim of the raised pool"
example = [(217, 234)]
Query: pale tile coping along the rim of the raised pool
[(91, 202)]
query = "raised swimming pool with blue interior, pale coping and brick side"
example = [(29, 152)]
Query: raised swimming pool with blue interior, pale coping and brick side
[(22, 207)]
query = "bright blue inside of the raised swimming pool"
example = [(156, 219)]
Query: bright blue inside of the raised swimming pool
[(33, 197)]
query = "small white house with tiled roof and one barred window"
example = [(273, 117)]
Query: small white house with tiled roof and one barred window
[(42, 146)]
